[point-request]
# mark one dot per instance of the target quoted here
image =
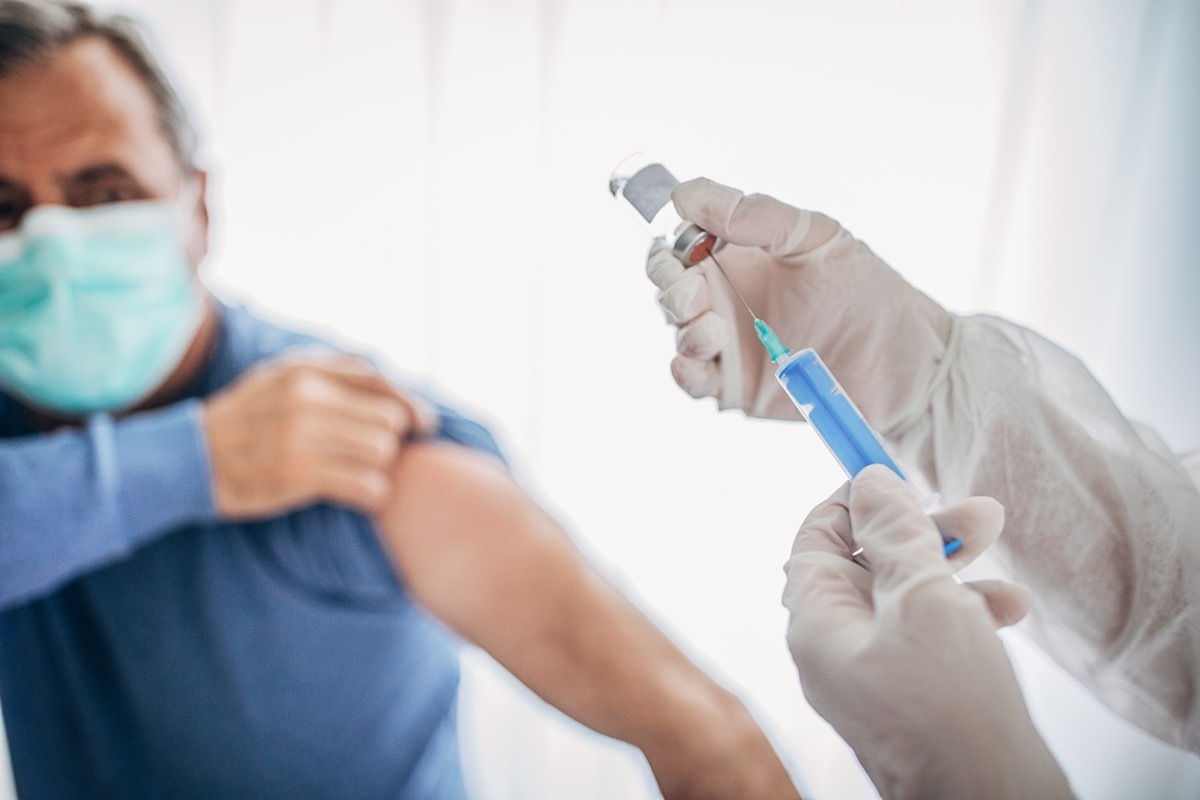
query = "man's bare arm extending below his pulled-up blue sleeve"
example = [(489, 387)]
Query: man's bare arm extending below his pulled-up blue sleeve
[(499, 570)]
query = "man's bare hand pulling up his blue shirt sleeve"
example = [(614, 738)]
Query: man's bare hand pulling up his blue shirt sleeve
[(301, 431)]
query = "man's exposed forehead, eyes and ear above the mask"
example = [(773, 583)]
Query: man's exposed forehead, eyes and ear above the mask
[(81, 130)]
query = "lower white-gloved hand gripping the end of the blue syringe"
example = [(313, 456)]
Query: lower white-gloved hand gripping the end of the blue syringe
[(902, 660)]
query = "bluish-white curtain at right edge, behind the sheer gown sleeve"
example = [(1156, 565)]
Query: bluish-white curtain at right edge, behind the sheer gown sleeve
[(1093, 239)]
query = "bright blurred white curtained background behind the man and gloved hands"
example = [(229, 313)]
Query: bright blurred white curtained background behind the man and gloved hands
[(429, 178)]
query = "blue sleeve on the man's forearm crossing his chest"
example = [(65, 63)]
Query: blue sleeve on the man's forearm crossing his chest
[(76, 500)]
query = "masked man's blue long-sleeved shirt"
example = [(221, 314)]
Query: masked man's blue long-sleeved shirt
[(151, 651)]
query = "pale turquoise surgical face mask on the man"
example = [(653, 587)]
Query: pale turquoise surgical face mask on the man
[(97, 305)]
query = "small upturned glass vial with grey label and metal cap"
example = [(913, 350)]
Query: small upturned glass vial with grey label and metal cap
[(646, 188)]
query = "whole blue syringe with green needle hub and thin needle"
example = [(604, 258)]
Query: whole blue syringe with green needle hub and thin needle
[(826, 406)]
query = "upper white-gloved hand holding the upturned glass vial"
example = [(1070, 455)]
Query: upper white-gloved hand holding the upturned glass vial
[(817, 286)]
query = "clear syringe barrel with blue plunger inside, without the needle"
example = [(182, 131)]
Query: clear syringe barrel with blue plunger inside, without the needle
[(833, 416)]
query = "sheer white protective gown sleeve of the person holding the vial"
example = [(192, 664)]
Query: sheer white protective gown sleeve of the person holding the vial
[(1103, 521)]
